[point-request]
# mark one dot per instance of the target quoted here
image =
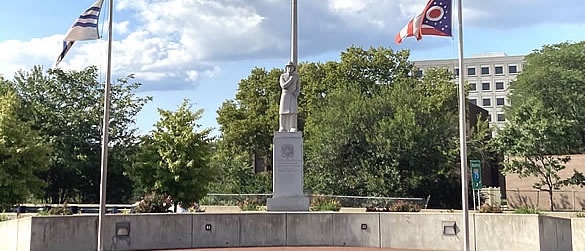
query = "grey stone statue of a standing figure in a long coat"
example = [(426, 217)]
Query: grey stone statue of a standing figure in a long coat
[(291, 87)]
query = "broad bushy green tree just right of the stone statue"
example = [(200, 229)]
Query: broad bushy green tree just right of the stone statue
[(402, 128)]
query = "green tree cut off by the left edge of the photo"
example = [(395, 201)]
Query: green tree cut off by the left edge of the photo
[(23, 154)]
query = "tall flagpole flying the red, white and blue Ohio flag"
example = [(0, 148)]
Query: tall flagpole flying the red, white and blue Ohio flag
[(462, 134)]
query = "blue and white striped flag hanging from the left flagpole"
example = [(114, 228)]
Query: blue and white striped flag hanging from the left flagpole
[(84, 28)]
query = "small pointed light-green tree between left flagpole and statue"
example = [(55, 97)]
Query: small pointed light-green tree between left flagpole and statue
[(174, 158)]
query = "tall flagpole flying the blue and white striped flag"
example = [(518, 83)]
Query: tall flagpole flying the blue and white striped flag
[(105, 133)]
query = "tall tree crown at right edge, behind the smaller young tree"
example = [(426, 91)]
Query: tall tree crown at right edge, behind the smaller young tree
[(555, 76)]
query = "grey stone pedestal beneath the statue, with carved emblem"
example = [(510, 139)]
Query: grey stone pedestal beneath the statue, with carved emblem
[(287, 173)]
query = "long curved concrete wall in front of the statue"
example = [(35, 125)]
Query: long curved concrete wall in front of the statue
[(424, 231)]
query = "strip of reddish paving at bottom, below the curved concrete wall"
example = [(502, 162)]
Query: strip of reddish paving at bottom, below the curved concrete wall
[(297, 249)]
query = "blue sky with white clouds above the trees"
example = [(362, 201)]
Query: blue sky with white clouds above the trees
[(201, 49)]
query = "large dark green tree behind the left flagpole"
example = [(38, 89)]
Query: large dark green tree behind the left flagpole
[(67, 107)]
